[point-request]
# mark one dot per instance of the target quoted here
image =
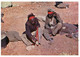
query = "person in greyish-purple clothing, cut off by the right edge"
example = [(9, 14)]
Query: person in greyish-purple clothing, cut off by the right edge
[(70, 29)]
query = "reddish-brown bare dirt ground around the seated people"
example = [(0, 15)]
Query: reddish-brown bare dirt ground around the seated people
[(15, 18)]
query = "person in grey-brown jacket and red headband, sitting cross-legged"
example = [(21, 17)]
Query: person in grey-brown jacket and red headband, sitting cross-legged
[(53, 24)]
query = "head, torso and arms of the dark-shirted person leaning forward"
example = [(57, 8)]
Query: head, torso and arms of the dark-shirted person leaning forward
[(31, 25)]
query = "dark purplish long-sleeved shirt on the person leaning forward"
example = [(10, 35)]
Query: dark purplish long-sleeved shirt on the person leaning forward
[(30, 28)]
